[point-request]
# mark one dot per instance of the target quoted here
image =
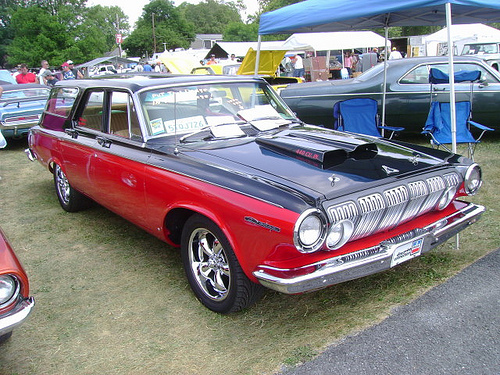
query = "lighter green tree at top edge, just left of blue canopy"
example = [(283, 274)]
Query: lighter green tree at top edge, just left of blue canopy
[(211, 16)]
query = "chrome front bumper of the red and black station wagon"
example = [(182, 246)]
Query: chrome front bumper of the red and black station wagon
[(371, 260)]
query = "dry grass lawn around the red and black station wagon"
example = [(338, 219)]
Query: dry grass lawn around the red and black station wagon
[(111, 299)]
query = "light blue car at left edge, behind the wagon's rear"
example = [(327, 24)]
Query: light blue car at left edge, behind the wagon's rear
[(21, 107)]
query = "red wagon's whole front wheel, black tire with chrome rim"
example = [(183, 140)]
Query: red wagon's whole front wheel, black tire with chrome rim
[(212, 269)]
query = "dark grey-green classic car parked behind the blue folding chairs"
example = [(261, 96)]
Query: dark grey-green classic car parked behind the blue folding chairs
[(408, 92)]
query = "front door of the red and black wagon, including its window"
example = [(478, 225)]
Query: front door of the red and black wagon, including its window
[(118, 163)]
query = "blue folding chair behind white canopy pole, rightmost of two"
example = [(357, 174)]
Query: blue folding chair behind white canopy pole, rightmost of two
[(438, 124)]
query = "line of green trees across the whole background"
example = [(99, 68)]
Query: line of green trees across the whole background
[(58, 30)]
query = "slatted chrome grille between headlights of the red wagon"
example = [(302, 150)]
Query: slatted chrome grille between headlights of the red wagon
[(379, 211)]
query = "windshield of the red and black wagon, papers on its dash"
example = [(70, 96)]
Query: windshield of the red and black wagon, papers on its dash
[(222, 110)]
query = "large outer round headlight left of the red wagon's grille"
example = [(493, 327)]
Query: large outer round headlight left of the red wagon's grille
[(309, 232)]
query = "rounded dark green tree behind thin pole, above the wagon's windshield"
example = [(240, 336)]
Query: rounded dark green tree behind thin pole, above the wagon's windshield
[(170, 30)]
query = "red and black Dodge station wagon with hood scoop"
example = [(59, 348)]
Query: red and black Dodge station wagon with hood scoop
[(220, 167)]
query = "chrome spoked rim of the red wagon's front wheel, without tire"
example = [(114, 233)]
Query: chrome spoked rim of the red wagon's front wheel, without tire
[(209, 264)]
